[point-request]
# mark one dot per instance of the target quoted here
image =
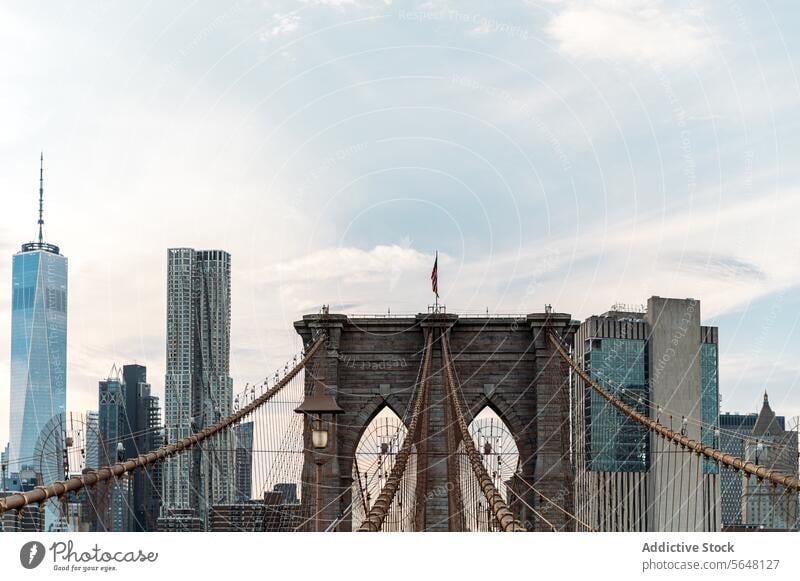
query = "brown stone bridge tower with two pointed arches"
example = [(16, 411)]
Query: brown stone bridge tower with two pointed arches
[(505, 363)]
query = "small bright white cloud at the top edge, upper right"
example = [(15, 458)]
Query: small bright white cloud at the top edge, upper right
[(637, 31)]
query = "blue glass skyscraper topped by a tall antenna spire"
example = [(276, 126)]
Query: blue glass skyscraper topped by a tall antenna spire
[(38, 342)]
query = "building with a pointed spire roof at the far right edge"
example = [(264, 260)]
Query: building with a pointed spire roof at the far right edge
[(765, 506)]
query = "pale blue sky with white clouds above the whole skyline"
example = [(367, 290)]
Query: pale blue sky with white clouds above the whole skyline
[(575, 153)]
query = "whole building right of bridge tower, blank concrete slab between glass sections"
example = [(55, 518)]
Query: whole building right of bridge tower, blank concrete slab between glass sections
[(662, 362)]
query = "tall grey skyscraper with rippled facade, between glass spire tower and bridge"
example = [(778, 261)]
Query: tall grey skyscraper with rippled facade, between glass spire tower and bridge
[(198, 386)]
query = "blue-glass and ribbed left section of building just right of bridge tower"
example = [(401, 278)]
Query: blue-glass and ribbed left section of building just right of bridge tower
[(611, 452)]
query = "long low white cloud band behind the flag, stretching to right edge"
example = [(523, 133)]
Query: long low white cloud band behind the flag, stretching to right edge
[(720, 255)]
